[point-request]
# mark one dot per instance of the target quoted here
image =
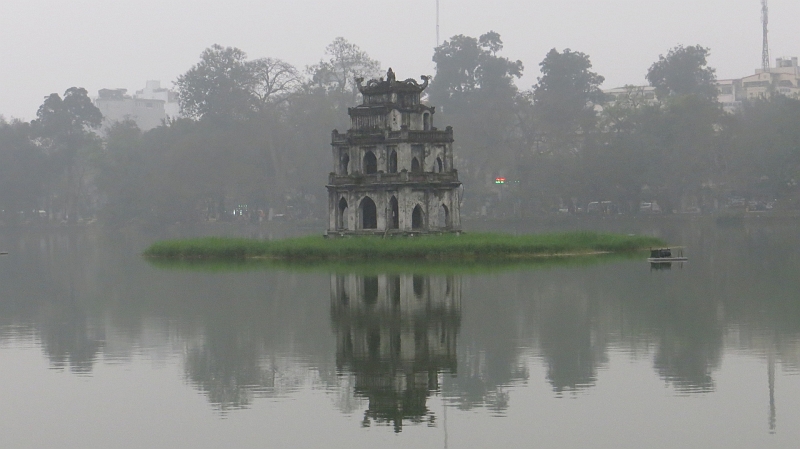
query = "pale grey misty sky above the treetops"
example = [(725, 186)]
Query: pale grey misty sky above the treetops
[(51, 45)]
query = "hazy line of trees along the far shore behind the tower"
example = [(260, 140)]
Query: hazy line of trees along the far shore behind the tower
[(254, 136)]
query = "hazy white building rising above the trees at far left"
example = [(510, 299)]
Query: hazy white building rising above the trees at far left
[(149, 107)]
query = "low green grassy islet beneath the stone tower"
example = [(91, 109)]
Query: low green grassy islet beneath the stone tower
[(478, 246)]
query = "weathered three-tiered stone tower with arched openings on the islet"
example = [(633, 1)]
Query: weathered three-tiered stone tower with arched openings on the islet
[(393, 170)]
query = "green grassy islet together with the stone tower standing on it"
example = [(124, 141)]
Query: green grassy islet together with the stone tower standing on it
[(394, 195)]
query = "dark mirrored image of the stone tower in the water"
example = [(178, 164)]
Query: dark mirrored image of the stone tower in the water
[(395, 334)]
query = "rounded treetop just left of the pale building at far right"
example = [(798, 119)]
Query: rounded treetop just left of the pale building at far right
[(683, 71)]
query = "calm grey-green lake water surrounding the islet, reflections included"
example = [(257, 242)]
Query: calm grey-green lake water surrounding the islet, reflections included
[(98, 348)]
